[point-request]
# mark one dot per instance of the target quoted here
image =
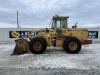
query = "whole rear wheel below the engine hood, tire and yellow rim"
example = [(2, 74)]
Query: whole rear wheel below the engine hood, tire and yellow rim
[(72, 45)]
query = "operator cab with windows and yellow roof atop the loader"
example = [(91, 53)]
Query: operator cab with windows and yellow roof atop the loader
[(59, 22)]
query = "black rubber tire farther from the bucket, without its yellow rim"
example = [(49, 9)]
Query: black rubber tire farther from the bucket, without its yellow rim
[(72, 39)]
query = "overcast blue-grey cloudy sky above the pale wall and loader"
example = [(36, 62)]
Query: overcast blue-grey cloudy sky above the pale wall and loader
[(38, 13)]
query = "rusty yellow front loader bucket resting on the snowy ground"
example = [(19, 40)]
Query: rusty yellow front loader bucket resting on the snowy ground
[(21, 47)]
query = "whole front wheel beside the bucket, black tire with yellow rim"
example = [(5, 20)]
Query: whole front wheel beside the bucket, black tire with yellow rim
[(37, 45)]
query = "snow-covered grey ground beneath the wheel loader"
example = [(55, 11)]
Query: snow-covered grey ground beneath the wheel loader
[(55, 61)]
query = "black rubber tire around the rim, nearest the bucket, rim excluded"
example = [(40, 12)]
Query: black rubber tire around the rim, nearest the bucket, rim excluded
[(42, 41)]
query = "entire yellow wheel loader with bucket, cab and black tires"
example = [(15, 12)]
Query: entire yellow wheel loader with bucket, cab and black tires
[(59, 35)]
